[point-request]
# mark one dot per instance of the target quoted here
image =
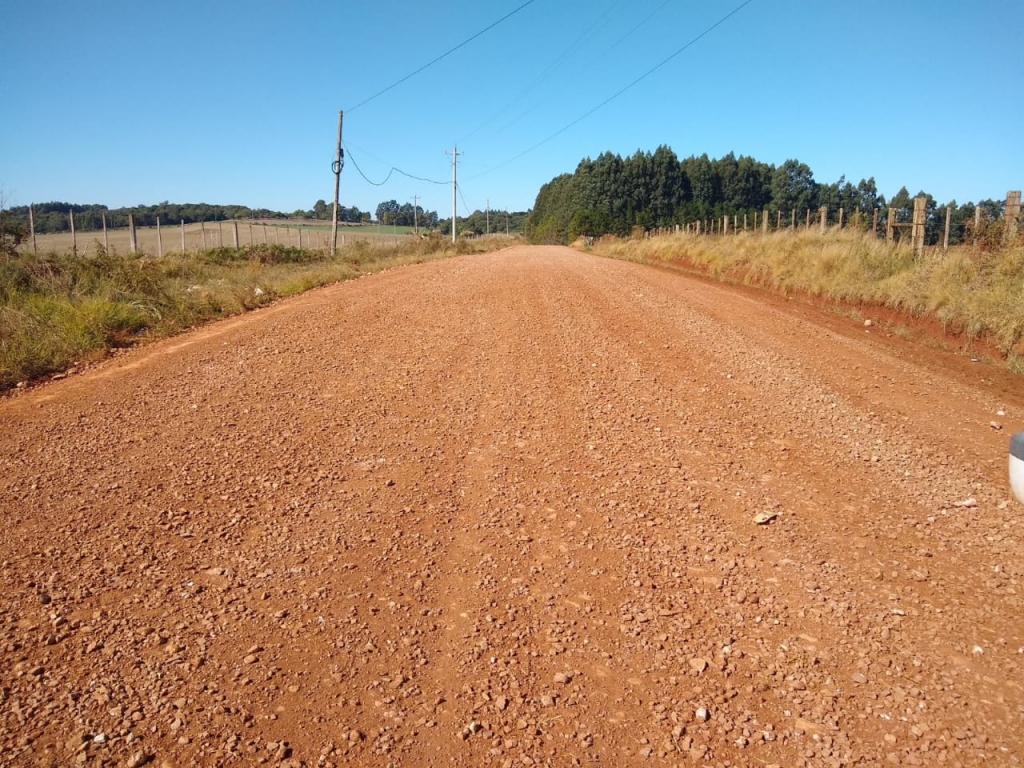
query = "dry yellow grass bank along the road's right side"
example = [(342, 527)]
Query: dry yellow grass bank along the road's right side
[(978, 293)]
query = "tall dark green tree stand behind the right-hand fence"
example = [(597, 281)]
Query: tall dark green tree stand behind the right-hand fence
[(613, 195)]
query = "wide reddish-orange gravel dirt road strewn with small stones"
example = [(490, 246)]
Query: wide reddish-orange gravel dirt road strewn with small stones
[(498, 511)]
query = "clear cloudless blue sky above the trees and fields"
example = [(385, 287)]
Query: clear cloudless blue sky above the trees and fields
[(135, 103)]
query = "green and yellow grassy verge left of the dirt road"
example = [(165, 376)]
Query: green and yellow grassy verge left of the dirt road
[(59, 310)]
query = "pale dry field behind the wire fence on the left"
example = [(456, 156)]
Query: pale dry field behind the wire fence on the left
[(217, 234)]
